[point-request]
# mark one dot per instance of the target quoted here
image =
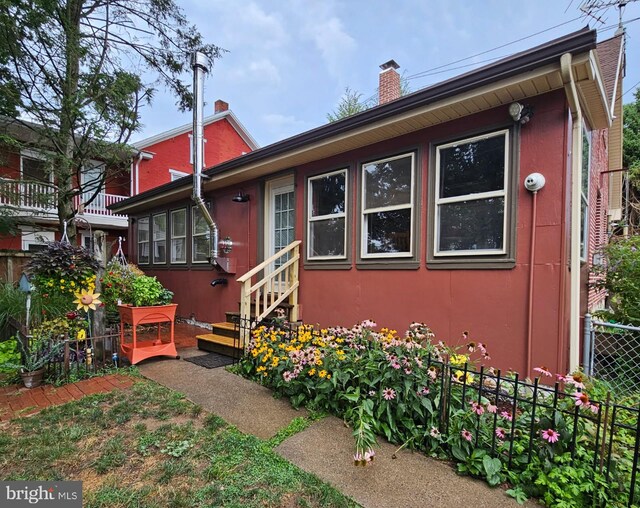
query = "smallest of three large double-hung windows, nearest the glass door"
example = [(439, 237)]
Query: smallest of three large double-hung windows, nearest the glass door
[(327, 211)]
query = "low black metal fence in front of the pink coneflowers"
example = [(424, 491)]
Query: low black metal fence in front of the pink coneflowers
[(521, 421)]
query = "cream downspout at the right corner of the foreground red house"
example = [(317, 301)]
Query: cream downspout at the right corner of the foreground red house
[(576, 182)]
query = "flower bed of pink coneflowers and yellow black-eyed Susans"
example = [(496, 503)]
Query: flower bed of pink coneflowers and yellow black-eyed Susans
[(432, 397)]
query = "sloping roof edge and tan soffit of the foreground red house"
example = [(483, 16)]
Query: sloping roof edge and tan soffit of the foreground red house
[(525, 74)]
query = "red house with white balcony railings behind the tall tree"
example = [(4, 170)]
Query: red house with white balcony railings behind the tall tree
[(28, 191)]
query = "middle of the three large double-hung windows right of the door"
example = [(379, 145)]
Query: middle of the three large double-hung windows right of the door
[(388, 207)]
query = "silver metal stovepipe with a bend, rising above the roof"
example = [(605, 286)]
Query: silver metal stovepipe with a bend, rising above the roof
[(199, 66)]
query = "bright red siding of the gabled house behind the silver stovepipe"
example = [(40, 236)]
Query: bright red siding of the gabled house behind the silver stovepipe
[(223, 143)]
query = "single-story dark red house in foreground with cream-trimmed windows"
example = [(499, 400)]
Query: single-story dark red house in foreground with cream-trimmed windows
[(416, 210)]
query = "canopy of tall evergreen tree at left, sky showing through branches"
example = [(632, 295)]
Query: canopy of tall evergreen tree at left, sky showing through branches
[(72, 71)]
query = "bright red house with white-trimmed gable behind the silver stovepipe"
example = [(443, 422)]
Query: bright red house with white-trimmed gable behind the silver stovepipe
[(166, 157)]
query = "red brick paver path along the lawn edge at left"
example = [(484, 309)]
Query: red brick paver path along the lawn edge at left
[(17, 401)]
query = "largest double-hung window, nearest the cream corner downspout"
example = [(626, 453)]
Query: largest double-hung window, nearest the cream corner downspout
[(470, 216)]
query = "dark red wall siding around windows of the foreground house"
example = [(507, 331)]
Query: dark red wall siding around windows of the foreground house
[(490, 303)]
